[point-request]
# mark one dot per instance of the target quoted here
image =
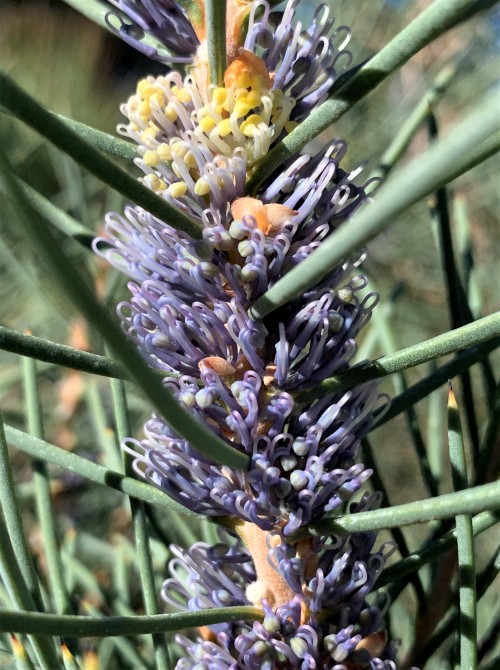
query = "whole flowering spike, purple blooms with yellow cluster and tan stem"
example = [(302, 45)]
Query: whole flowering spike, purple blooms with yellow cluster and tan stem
[(188, 313)]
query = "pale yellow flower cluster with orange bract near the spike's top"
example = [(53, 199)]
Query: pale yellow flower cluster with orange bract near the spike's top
[(180, 128)]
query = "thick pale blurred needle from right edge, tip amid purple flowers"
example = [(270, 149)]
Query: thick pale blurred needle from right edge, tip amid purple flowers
[(421, 177)]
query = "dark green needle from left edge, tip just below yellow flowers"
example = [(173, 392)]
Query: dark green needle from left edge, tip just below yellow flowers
[(24, 107)]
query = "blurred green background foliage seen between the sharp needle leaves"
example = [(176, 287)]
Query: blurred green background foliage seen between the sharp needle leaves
[(79, 70)]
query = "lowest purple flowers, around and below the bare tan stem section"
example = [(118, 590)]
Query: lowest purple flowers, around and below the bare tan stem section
[(293, 634)]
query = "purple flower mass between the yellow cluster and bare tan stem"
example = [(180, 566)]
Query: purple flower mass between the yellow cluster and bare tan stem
[(189, 314)]
